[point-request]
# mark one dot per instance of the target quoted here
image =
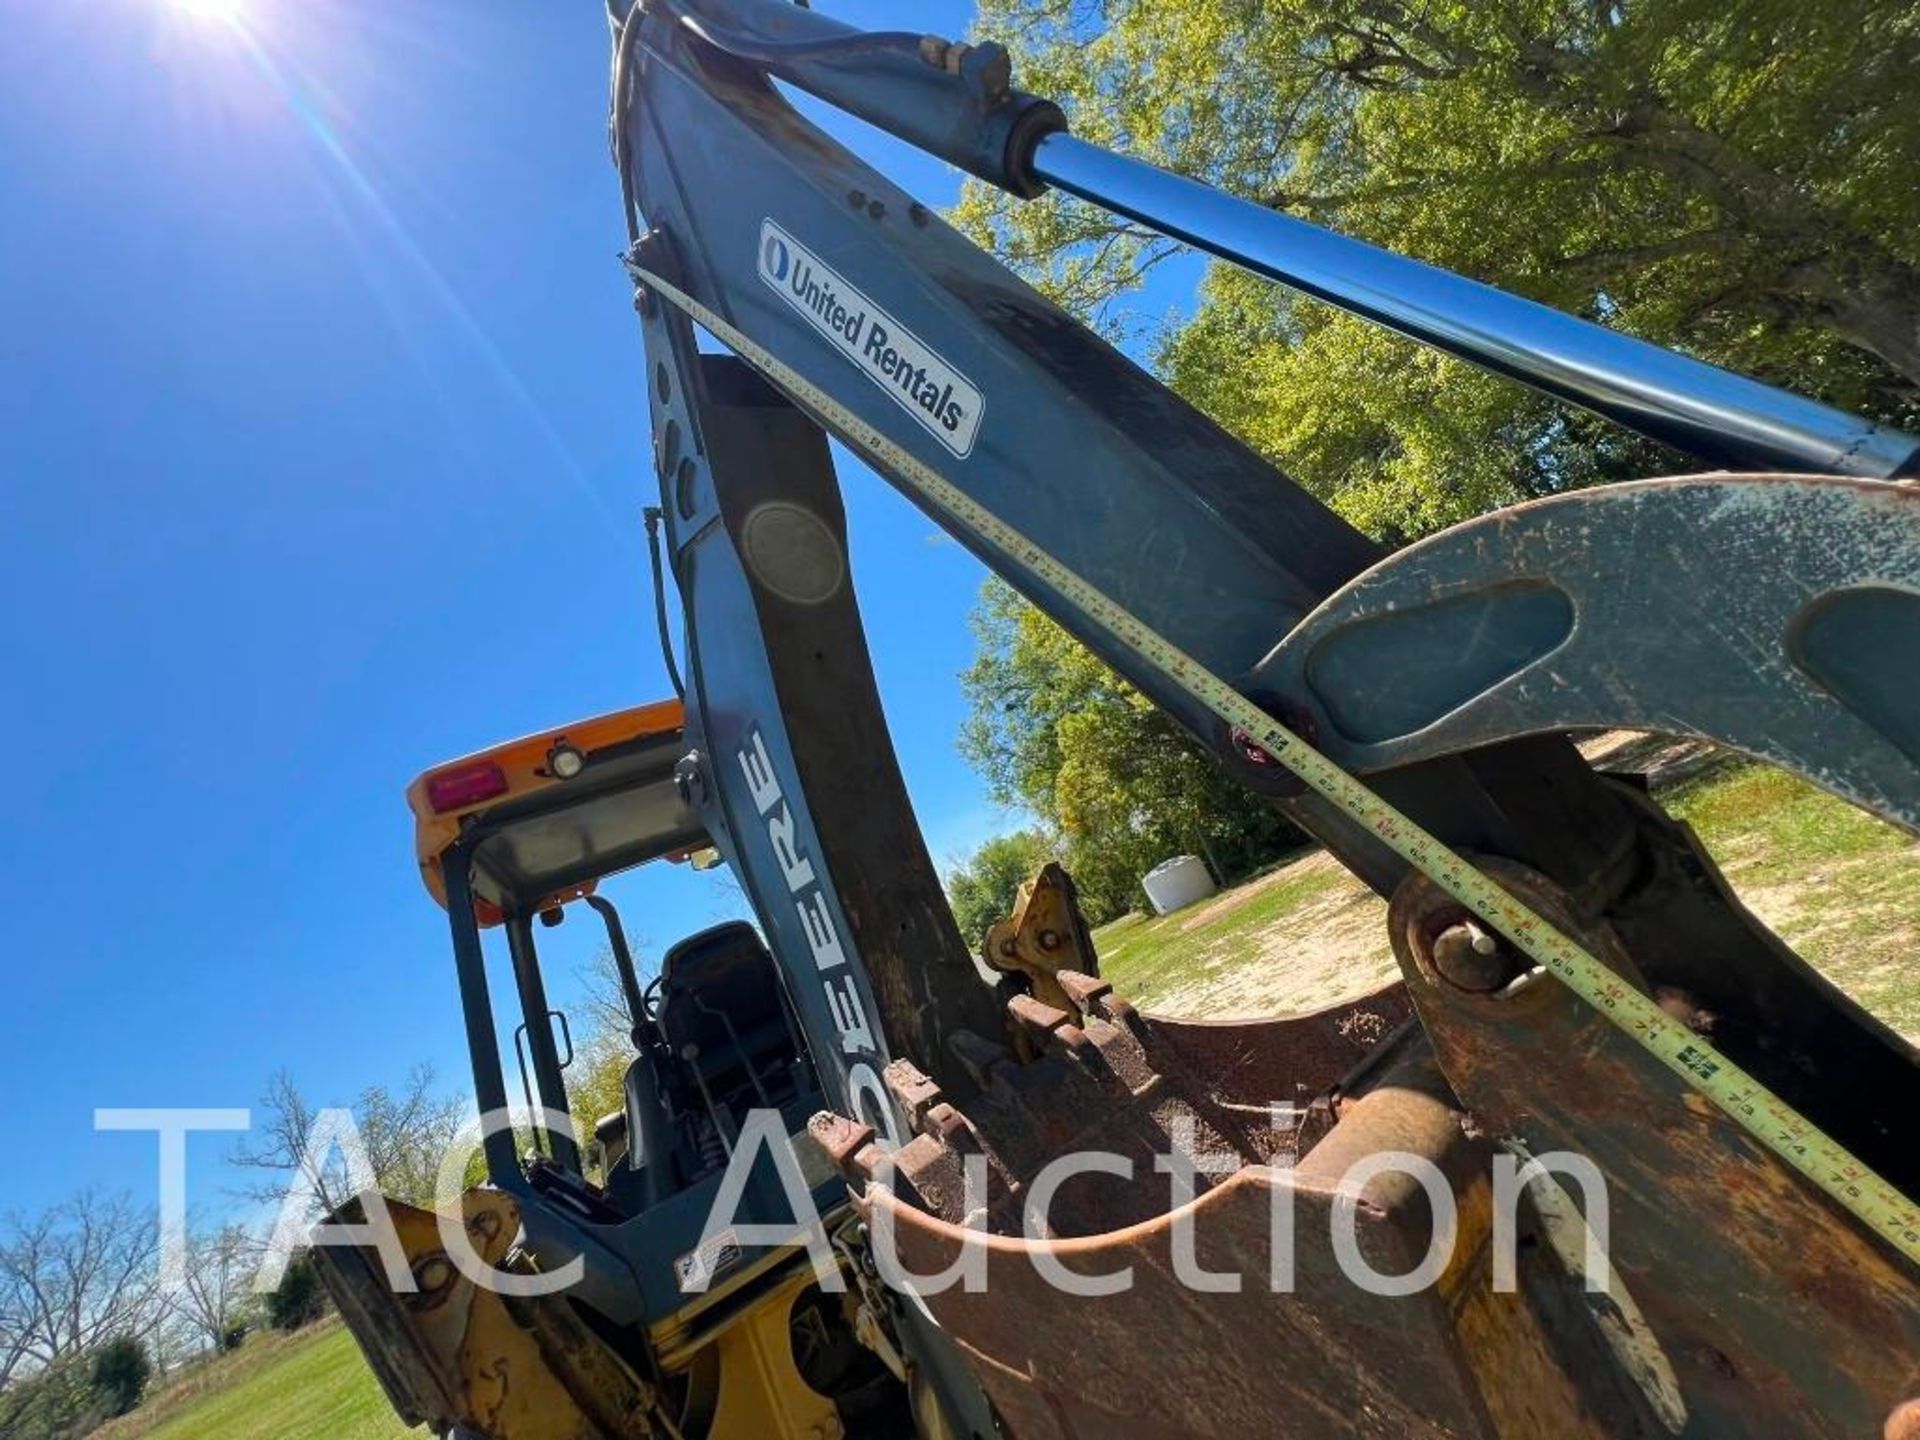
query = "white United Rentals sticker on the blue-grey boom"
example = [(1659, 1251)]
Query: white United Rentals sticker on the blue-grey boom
[(892, 356)]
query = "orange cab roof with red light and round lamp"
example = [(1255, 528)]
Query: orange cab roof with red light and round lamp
[(550, 815)]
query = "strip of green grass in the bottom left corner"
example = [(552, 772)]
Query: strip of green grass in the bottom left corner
[(306, 1387)]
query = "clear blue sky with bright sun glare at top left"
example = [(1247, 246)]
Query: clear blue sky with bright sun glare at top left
[(322, 460)]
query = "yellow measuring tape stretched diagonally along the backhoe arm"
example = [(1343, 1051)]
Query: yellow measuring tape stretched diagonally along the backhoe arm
[(1771, 1120)]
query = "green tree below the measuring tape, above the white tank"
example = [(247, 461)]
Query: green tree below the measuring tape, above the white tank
[(1055, 731)]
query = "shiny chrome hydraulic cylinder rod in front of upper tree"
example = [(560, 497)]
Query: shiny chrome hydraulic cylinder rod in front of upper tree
[(1708, 412)]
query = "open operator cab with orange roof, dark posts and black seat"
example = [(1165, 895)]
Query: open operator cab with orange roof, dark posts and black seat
[(527, 832)]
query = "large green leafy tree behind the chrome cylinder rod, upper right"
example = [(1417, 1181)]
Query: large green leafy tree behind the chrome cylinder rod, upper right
[(1733, 180)]
